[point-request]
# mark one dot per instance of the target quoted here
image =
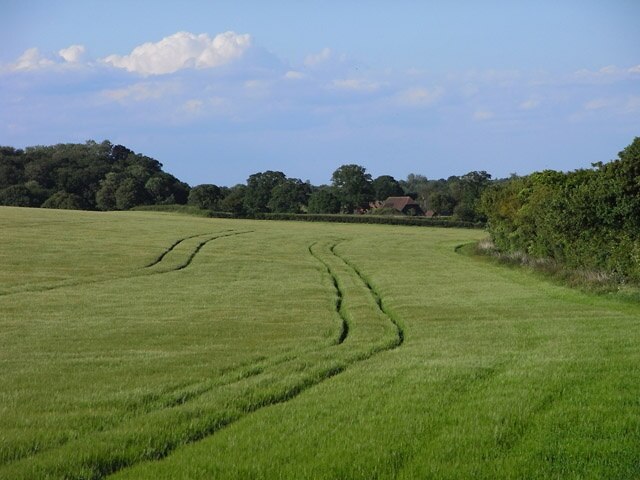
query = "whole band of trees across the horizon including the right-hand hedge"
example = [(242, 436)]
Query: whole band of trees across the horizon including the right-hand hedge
[(586, 219)]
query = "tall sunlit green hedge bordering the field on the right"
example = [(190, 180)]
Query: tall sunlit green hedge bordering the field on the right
[(585, 219)]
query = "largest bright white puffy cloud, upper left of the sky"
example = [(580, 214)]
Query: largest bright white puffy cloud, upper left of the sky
[(183, 50)]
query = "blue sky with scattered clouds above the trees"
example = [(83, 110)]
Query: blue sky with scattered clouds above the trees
[(217, 91)]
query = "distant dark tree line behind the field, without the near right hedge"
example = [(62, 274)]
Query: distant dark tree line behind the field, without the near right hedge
[(103, 176)]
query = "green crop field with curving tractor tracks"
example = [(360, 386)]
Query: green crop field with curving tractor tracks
[(150, 345)]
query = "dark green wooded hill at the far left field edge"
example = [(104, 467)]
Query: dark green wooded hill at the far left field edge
[(92, 175)]
